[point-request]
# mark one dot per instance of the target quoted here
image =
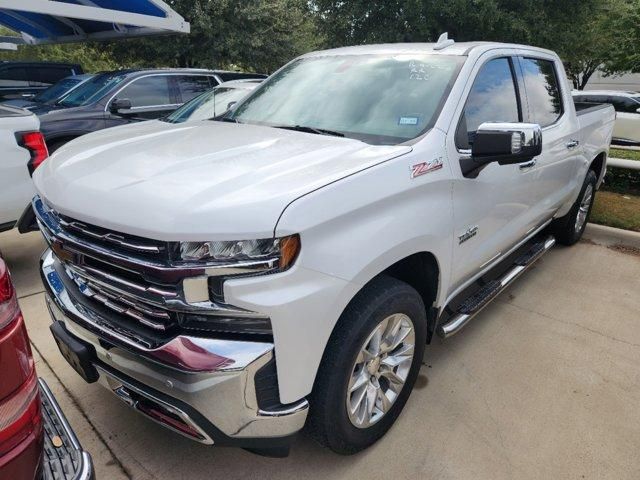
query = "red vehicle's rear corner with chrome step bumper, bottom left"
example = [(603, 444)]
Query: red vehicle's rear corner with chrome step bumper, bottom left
[(36, 440)]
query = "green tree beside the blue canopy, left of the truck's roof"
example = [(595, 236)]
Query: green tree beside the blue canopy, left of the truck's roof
[(258, 35)]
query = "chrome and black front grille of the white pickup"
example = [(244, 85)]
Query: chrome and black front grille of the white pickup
[(149, 296)]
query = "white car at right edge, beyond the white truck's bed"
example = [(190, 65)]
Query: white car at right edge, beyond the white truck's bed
[(627, 106)]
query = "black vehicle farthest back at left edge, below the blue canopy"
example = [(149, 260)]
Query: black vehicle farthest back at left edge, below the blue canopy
[(26, 79)]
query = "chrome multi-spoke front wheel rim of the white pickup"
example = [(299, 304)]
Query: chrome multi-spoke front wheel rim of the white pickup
[(380, 370)]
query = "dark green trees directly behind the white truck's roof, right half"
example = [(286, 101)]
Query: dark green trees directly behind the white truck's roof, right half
[(578, 31)]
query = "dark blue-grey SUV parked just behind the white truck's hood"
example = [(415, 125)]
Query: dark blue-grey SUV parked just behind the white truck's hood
[(122, 97)]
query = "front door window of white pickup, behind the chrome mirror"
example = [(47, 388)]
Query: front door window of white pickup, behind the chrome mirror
[(493, 98)]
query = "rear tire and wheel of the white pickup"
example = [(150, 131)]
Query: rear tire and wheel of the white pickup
[(569, 229)]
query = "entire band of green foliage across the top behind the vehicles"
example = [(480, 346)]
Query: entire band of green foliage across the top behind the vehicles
[(262, 35)]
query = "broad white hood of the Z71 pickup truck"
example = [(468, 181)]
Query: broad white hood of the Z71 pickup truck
[(199, 181)]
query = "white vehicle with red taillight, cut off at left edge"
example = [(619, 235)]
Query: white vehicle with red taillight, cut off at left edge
[(22, 150)]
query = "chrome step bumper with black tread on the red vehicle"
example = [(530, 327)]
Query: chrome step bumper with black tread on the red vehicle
[(64, 458)]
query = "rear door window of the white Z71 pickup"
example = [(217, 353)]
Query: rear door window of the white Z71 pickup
[(543, 90)]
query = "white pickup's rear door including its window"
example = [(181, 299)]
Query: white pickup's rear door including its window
[(550, 105)]
